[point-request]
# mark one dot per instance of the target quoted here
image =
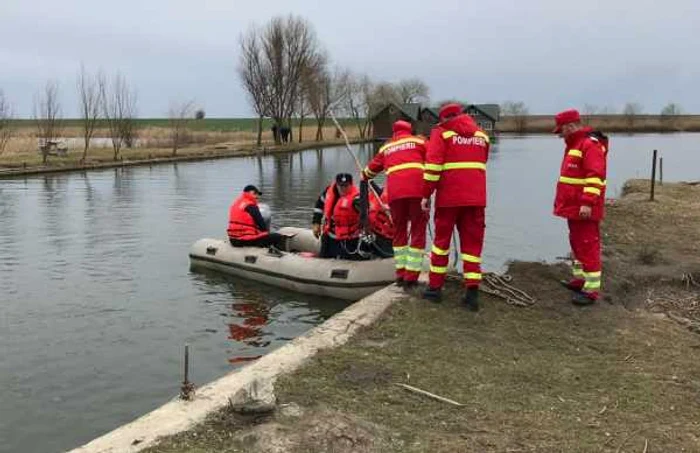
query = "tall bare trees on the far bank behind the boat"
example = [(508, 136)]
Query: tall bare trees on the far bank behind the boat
[(287, 74)]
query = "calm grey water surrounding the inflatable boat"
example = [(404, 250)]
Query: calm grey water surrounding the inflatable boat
[(97, 301)]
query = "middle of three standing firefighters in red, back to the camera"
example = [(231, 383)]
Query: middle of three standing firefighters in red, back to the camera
[(455, 168)]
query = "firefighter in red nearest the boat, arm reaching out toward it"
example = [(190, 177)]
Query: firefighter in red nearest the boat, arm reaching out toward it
[(402, 158)]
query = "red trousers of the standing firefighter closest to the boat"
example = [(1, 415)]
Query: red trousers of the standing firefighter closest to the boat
[(408, 257)]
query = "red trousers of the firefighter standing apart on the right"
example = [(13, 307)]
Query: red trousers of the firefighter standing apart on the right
[(584, 237)]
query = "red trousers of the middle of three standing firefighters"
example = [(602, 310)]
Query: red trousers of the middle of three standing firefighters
[(471, 225)]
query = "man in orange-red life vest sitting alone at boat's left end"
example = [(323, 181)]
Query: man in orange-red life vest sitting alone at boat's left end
[(246, 226)]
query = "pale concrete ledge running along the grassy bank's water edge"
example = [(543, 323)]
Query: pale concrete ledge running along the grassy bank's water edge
[(177, 416)]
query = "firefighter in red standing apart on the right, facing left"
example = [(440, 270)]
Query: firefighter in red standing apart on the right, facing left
[(580, 199)]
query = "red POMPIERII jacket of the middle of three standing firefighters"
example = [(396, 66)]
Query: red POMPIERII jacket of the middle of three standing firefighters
[(455, 165)]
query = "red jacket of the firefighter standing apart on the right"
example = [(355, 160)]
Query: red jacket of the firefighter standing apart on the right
[(582, 177)]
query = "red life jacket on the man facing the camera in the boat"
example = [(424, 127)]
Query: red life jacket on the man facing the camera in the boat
[(342, 220)]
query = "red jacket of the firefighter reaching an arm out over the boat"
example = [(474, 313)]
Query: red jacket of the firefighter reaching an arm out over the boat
[(402, 158)]
